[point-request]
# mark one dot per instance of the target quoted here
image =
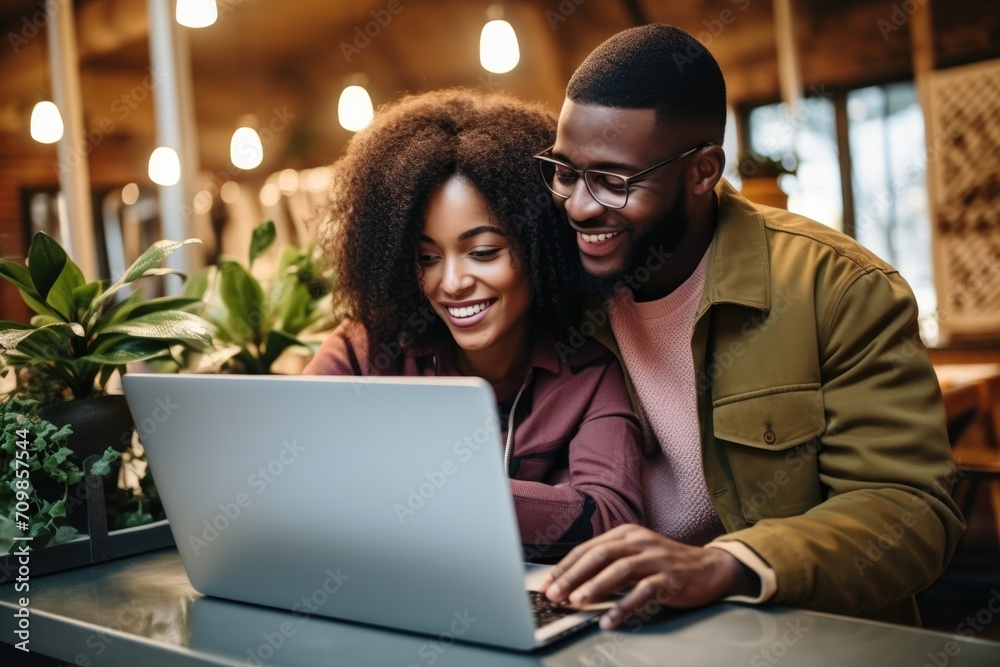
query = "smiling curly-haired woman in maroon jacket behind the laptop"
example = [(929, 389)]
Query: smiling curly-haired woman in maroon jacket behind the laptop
[(450, 261)]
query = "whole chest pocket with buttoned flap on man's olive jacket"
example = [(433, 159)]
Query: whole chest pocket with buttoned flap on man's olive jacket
[(772, 441)]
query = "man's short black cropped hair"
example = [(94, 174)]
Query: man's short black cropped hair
[(657, 67)]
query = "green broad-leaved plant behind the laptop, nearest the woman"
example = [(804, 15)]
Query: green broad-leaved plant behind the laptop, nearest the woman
[(256, 323)]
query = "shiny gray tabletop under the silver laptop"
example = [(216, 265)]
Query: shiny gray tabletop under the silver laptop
[(142, 611)]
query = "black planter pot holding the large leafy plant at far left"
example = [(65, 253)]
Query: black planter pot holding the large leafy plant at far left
[(98, 423)]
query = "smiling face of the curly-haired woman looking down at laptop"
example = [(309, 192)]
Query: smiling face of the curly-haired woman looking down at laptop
[(469, 270)]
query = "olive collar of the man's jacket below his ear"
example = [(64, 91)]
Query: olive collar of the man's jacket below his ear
[(738, 267)]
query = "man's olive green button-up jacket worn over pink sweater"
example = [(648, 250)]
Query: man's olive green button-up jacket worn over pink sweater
[(822, 425)]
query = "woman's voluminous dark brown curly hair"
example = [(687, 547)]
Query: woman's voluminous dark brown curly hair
[(382, 186)]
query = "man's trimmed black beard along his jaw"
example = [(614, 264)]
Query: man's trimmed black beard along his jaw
[(663, 235)]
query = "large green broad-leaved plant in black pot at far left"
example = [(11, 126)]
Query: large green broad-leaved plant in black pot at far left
[(80, 335)]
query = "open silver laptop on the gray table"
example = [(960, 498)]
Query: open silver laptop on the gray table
[(378, 500)]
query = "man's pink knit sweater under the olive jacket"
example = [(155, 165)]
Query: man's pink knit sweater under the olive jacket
[(655, 341)]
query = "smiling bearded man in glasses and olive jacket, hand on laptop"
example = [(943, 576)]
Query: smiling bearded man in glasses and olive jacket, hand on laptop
[(799, 449)]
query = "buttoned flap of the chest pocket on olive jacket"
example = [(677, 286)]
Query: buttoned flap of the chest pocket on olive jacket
[(775, 420)]
